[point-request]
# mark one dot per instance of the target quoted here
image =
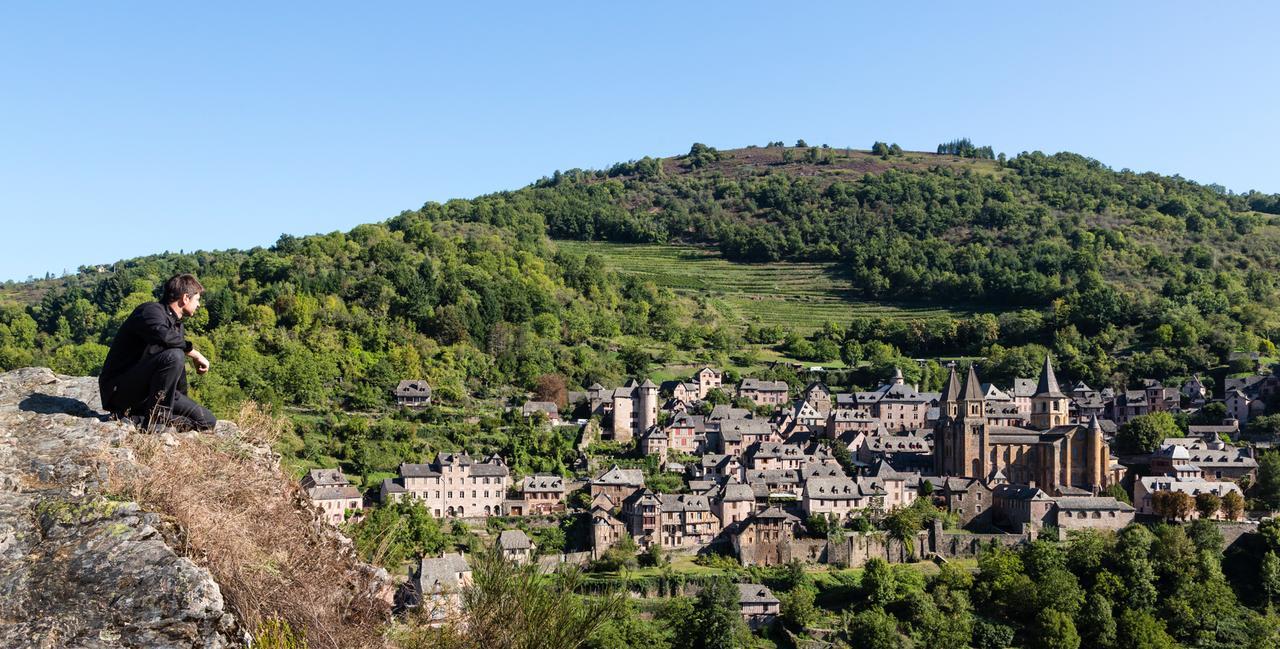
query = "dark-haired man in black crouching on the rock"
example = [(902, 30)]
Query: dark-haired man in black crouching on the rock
[(145, 374)]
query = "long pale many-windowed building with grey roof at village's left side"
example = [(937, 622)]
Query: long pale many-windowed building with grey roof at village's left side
[(454, 486)]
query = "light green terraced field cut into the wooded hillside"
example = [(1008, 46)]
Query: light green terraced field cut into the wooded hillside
[(796, 295)]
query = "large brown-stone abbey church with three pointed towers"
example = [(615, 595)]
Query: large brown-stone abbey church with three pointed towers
[(1058, 458)]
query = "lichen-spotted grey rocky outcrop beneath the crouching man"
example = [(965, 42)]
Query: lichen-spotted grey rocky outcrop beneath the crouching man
[(79, 569)]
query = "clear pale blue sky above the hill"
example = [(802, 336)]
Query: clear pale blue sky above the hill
[(131, 129)]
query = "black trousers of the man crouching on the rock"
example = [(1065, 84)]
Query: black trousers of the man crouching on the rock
[(157, 389)]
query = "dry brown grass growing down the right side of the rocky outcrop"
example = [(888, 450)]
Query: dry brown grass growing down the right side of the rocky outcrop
[(244, 520)]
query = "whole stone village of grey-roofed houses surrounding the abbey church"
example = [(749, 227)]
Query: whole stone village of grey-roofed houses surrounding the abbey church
[(1007, 463)]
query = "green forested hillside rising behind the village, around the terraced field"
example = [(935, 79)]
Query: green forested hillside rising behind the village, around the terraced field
[(1122, 275)]
